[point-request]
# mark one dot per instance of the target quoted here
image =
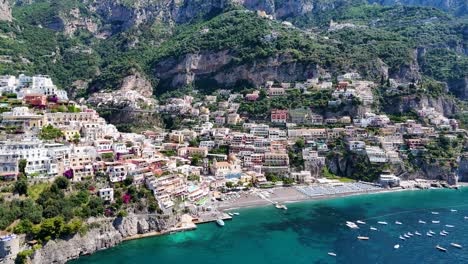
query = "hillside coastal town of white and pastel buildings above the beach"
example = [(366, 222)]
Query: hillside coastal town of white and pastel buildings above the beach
[(223, 153)]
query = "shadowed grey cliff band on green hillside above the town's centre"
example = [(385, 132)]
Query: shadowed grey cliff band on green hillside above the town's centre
[(219, 69)]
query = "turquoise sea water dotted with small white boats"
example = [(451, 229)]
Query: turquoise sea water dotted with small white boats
[(307, 231)]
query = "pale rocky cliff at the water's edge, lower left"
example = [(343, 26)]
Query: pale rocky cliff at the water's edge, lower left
[(108, 234)]
